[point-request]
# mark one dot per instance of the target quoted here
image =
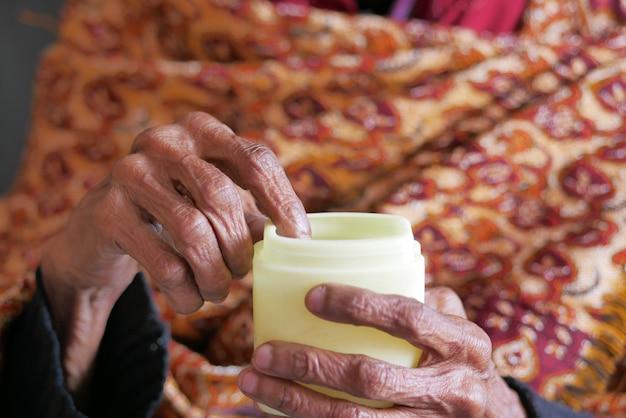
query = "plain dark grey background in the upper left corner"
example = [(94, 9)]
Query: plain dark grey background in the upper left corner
[(26, 27)]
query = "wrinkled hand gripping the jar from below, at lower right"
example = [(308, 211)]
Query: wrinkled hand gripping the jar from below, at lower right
[(456, 376)]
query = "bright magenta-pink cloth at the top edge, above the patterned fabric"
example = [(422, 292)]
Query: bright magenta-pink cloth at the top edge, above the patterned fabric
[(481, 15)]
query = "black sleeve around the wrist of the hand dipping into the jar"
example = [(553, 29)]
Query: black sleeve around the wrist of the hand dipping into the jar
[(130, 367)]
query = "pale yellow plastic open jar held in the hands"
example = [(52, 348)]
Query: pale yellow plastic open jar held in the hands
[(373, 251)]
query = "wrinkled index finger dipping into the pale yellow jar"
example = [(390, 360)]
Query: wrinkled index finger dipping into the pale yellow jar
[(253, 167)]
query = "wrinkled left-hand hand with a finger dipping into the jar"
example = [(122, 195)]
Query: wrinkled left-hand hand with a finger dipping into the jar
[(175, 208)]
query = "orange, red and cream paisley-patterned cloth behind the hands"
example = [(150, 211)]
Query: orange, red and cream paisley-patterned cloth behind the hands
[(507, 153)]
